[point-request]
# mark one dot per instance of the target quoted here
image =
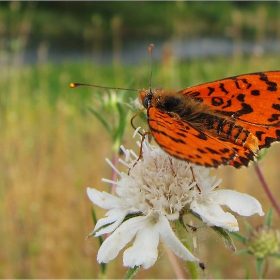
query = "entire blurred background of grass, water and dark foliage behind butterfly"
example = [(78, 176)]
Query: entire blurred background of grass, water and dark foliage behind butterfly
[(52, 147)]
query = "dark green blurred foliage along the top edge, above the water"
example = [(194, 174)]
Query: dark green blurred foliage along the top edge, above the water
[(156, 19)]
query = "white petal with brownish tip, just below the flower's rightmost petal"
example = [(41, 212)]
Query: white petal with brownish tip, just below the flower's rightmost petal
[(213, 215)]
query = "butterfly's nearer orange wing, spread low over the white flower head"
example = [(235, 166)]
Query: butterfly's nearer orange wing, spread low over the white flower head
[(183, 141)]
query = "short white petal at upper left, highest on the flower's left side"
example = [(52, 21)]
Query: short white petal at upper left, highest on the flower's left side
[(103, 199)]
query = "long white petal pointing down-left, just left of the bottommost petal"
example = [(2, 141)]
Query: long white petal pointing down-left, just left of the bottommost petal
[(119, 238)]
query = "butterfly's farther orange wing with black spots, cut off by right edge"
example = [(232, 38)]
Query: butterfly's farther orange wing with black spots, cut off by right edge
[(253, 100)]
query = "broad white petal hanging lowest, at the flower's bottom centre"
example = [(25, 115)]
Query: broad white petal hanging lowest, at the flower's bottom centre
[(144, 250)]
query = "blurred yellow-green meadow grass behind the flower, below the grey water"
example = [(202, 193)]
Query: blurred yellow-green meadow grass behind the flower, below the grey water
[(52, 148)]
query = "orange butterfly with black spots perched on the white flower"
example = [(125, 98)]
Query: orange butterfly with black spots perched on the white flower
[(224, 122)]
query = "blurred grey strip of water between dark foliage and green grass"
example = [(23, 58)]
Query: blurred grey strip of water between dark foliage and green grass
[(134, 51)]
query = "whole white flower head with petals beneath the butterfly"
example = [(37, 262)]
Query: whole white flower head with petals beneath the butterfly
[(153, 193)]
